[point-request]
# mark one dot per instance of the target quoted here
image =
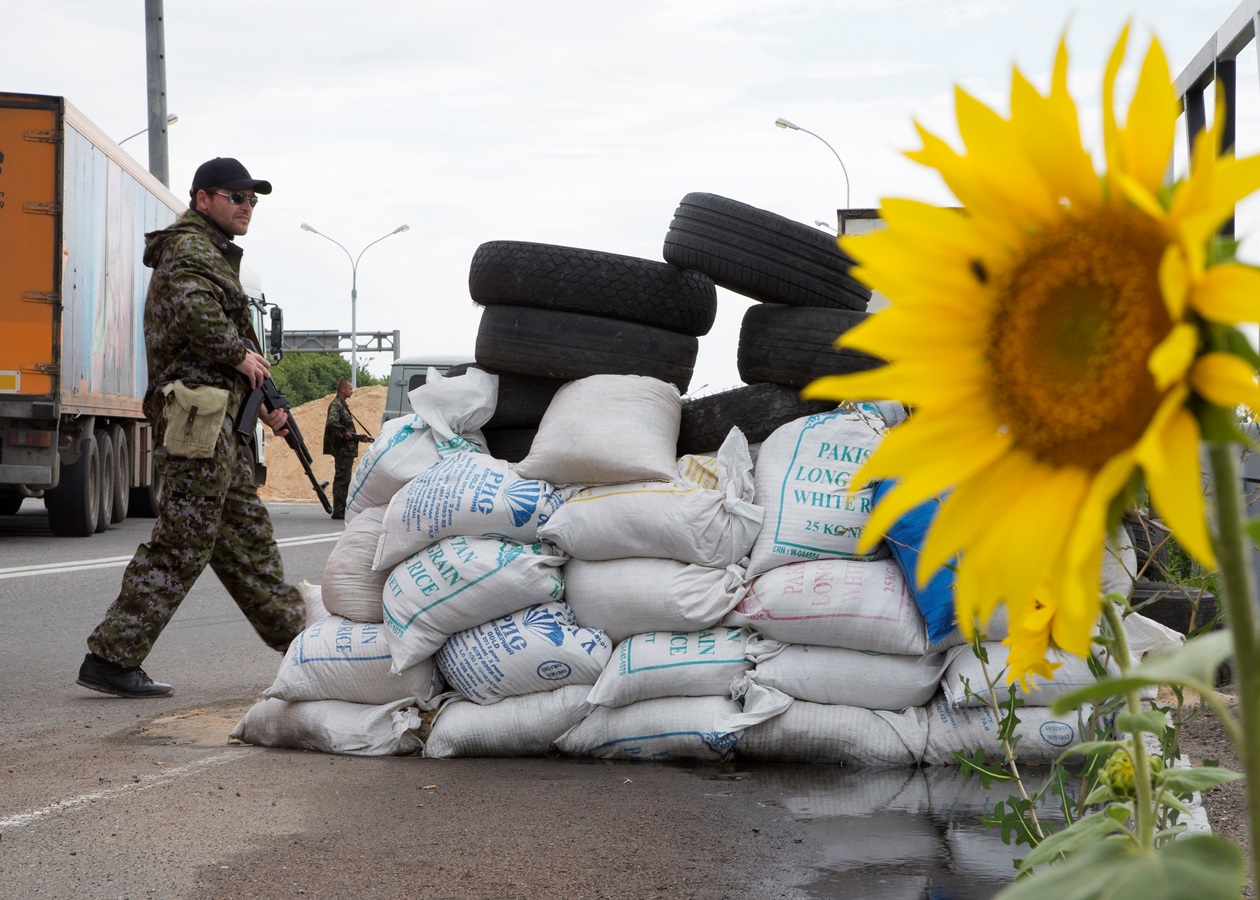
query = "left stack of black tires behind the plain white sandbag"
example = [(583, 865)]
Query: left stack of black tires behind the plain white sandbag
[(555, 314)]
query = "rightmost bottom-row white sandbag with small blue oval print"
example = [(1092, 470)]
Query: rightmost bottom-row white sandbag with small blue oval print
[(1044, 737)]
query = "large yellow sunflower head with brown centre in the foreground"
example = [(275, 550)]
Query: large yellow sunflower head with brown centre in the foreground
[(1053, 336)]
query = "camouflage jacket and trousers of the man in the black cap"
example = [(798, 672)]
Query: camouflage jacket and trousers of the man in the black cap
[(196, 320)]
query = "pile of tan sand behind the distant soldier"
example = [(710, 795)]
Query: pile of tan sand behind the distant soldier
[(285, 477)]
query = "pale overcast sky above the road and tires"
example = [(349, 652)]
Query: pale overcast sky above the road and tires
[(561, 122)]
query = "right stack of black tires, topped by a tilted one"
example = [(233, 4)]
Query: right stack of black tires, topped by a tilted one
[(807, 298)]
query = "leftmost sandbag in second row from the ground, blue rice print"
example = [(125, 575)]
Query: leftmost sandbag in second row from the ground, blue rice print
[(341, 660)]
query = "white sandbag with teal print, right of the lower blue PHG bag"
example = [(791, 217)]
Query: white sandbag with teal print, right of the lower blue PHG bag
[(673, 665)]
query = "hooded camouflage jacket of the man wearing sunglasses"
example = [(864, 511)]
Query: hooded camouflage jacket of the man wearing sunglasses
[(197, 316)]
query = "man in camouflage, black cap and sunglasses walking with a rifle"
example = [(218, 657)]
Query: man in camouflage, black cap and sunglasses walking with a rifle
[(197, 321)]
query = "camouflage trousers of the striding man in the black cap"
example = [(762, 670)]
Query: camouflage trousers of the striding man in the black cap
[(210, 515)]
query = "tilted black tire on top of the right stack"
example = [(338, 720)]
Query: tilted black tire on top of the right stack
[(762, 255)]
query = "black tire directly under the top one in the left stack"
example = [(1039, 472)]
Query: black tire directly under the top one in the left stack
[(569, 346)]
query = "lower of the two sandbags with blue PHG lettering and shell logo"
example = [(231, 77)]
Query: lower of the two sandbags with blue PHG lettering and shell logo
[(535, 650)]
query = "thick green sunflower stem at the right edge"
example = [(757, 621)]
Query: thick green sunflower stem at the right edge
[(1239, 593)]
